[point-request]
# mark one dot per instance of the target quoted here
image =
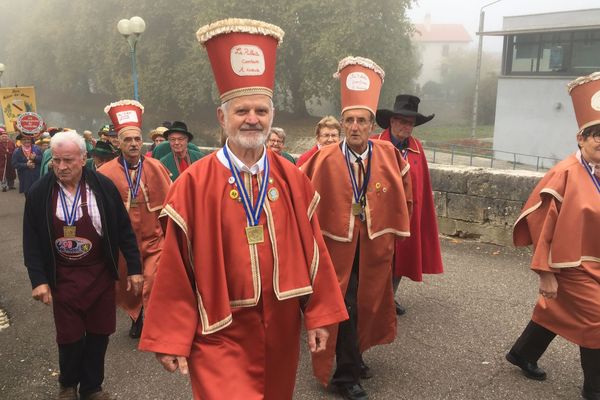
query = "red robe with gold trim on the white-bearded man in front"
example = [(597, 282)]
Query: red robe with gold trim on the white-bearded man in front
[(232, 308)]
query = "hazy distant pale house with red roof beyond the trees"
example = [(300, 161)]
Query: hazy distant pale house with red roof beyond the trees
[(435, 43)]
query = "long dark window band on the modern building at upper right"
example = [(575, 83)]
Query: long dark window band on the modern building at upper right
[(553, 53)]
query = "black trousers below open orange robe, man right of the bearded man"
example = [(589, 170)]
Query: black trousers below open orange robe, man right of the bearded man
[(347, 354)]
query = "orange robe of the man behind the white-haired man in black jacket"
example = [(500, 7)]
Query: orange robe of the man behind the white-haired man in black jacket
[(144, 221)]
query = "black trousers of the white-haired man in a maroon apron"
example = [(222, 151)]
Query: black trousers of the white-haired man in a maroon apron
[(82, 363)]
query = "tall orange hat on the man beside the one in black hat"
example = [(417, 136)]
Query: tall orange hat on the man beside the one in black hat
[(360, 83)]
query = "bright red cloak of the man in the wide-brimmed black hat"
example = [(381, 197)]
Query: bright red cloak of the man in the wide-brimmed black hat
[(420, 253)]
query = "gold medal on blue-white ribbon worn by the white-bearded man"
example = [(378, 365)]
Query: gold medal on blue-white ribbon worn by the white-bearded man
[(254, 231)]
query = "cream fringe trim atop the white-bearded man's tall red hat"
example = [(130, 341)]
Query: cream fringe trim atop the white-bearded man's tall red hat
[(230, 25)]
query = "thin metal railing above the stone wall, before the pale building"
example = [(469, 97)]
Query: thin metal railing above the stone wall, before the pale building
[(454, 154)]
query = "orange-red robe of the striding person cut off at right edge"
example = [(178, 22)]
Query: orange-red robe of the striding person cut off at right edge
[(561, 220)]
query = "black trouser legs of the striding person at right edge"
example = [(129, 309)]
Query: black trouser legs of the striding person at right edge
[(534, 341)]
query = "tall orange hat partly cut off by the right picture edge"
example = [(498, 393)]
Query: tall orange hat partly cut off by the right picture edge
[(585, 94)]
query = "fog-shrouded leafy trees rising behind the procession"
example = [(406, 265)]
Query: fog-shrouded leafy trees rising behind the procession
[(73, 54)]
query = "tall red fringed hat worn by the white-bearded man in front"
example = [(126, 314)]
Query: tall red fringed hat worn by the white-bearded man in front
[(242, 55)]
